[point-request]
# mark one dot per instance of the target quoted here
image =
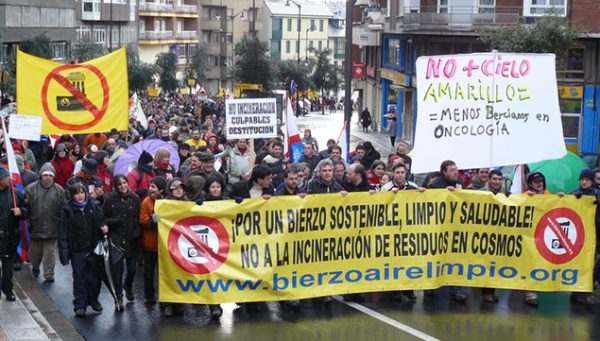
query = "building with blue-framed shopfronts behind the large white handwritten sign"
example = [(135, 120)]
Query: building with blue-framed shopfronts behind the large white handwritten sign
[(416, 28)]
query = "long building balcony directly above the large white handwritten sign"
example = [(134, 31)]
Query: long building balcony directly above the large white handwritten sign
[(457, 18)]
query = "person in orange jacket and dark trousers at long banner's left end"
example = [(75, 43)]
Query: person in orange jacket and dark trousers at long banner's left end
[(149, 222)]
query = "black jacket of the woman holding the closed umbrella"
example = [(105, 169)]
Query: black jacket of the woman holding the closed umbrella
[(79, 230)]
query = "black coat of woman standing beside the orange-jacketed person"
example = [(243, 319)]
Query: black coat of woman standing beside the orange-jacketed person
[(122, 217)]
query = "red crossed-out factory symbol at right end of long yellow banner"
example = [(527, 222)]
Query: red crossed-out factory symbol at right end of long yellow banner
[(559, 235)]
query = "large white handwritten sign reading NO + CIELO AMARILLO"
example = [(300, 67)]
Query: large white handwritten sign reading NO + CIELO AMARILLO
[(486, 110)]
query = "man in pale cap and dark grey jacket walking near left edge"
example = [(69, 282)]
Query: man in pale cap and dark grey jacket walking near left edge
[(46, 198)]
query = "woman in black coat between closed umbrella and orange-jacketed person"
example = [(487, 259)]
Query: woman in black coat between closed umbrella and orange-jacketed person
[(122, 209)]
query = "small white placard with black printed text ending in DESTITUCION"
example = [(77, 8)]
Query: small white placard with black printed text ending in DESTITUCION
[(251, 118)]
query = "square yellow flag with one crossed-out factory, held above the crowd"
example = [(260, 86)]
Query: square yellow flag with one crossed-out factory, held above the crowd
[(74, 98)]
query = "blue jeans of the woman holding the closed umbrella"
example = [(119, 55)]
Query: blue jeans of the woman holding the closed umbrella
[(86, 281)]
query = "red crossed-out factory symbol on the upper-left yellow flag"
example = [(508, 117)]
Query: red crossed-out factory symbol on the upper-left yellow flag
[(78, 100)]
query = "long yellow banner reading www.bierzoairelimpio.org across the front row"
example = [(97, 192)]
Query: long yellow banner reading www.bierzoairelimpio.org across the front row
[(292, 248)]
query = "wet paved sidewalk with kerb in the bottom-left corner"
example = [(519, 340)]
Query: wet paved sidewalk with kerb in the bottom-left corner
[(33, 316)]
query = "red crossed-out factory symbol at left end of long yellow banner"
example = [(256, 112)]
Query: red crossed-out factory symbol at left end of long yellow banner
[(198, 245)]
